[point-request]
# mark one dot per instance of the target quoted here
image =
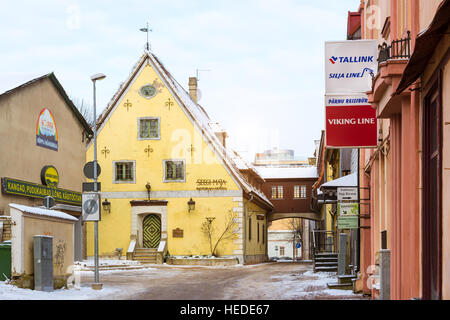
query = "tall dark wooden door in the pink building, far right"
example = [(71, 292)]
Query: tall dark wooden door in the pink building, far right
[(432, 195)]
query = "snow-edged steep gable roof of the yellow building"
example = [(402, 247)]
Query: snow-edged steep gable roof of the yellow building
[(194, 111)]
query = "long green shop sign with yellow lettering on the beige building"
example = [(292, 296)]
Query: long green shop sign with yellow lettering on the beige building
[(33, 190)]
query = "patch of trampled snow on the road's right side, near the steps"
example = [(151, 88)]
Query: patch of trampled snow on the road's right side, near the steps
[(308, 285)]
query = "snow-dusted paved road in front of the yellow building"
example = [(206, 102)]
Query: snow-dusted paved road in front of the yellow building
[(272, 281)]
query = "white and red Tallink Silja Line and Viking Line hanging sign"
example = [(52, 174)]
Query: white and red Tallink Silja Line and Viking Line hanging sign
[(350, 120)]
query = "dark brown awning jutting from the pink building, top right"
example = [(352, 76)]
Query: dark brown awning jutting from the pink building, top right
[(426, 43)]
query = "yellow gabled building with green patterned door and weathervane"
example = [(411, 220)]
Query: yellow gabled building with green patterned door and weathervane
[(169, 178)]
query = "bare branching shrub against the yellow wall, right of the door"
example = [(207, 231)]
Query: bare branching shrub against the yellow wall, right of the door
[(209, 230)]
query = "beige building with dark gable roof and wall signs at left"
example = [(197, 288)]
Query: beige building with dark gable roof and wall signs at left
[(42, 149)]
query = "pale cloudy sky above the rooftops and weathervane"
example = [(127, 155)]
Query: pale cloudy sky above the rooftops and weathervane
[(266, 83)]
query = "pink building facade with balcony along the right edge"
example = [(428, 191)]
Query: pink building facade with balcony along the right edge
[(408, 174)]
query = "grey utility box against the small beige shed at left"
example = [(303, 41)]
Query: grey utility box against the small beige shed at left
[(43, 263)]
